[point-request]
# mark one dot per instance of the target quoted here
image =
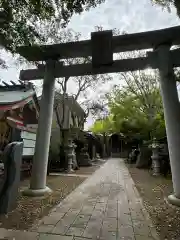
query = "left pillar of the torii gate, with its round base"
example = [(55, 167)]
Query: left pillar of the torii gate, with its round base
[(40, 161)]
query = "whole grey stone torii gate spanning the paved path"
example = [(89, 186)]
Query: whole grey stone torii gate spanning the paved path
[(101, 47)]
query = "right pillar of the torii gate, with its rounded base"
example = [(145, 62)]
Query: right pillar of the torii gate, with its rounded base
[(172, 116)]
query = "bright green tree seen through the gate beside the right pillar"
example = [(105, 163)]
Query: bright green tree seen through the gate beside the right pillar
[(135, 108)]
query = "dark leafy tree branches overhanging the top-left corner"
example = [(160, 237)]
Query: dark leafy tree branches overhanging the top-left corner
[(22, 21)]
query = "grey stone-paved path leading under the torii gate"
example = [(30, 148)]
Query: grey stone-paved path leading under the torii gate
[(106, 206)]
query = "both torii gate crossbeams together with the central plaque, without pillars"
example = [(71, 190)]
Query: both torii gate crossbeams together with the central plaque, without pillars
[(101, 47)]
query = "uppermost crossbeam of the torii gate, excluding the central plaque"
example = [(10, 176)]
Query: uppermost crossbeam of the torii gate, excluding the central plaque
[(127, 42)]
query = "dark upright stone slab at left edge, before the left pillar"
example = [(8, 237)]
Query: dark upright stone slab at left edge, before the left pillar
[(12, 159)]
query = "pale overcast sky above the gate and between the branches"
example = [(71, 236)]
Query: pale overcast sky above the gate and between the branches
[(125, 15)]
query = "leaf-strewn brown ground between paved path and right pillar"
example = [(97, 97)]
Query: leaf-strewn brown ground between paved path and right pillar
[(154, 191)]
